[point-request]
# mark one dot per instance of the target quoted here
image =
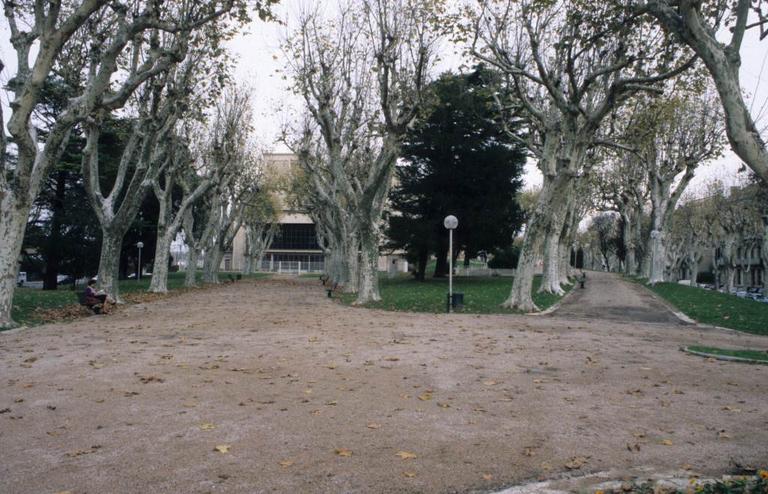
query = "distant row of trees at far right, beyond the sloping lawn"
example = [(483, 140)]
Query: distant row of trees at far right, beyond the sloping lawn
[(726, 226)]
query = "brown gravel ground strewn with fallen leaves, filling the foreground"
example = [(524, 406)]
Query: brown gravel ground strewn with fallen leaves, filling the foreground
[(306, 395)]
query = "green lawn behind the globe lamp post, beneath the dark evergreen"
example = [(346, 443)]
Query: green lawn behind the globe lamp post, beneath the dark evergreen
[(481, 295)]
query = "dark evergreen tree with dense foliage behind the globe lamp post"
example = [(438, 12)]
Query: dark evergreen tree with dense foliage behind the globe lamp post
[(457, 160)]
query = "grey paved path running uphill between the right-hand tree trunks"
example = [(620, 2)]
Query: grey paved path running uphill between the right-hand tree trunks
[(606, 296)]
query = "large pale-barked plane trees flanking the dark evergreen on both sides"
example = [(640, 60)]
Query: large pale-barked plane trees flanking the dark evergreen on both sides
[(584, 82)]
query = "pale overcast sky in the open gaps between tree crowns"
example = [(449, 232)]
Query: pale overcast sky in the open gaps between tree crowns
[(260, 60)]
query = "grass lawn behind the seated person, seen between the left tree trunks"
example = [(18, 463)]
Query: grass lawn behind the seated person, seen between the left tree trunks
[(26, 301)]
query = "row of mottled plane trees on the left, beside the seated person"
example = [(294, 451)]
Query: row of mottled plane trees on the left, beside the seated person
[(156, 74)]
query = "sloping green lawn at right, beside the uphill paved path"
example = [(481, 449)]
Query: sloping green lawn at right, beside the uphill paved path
[(712, 307)]
